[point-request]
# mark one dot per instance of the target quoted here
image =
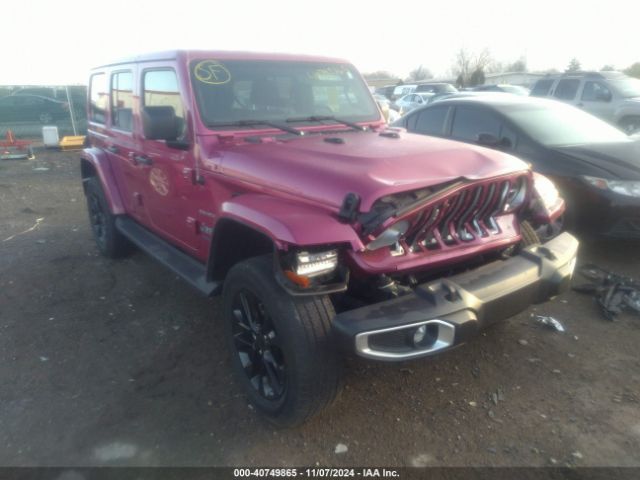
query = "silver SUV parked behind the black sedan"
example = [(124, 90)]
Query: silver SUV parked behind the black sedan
[(612, 96)]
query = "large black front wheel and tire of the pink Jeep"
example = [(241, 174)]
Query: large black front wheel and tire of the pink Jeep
[(283, 355)]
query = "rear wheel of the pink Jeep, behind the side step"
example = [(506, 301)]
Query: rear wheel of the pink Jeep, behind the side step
[(111, 243)]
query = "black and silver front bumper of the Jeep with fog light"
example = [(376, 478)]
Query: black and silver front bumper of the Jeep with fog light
[(456, 308)]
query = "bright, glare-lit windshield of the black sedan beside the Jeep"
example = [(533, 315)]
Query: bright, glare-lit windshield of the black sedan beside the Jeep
[(556, 125)]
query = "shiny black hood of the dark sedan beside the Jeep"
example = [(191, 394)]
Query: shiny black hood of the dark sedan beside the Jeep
[(619, 160)]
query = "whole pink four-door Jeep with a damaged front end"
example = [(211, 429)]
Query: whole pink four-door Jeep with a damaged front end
[(273, 180)]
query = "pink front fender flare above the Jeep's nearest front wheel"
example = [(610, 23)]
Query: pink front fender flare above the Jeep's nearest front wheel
[(288, 222)]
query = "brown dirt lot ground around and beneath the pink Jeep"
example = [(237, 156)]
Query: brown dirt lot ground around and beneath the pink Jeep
[(120, 363)]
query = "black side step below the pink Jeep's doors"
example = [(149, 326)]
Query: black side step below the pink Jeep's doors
[(191, 270)]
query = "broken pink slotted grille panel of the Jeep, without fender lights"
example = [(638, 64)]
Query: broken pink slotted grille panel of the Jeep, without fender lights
[(438, 225)]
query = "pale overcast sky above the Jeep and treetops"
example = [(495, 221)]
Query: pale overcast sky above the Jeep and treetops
[(57, 41)]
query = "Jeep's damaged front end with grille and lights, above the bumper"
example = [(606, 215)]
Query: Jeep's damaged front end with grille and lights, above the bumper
[(418, 235)]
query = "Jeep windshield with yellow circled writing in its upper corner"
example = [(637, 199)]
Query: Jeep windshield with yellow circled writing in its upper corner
[(239, 90)]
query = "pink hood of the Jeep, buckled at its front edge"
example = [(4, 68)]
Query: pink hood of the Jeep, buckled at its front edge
[(325, 167)]
